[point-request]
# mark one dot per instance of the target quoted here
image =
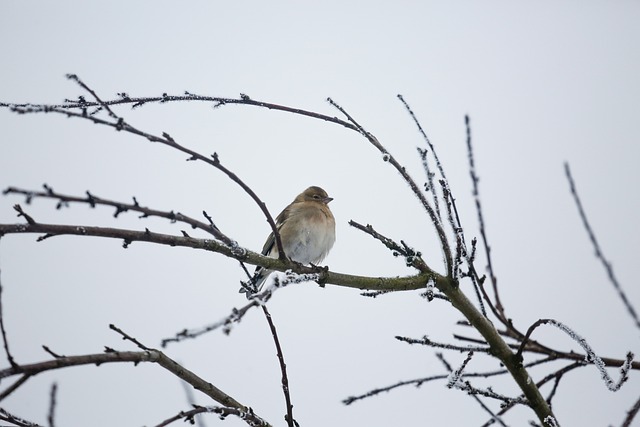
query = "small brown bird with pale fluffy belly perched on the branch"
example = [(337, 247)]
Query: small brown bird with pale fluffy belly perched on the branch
[(307, 231)]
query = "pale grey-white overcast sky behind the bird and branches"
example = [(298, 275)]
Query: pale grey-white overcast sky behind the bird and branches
[(543, 83)]
